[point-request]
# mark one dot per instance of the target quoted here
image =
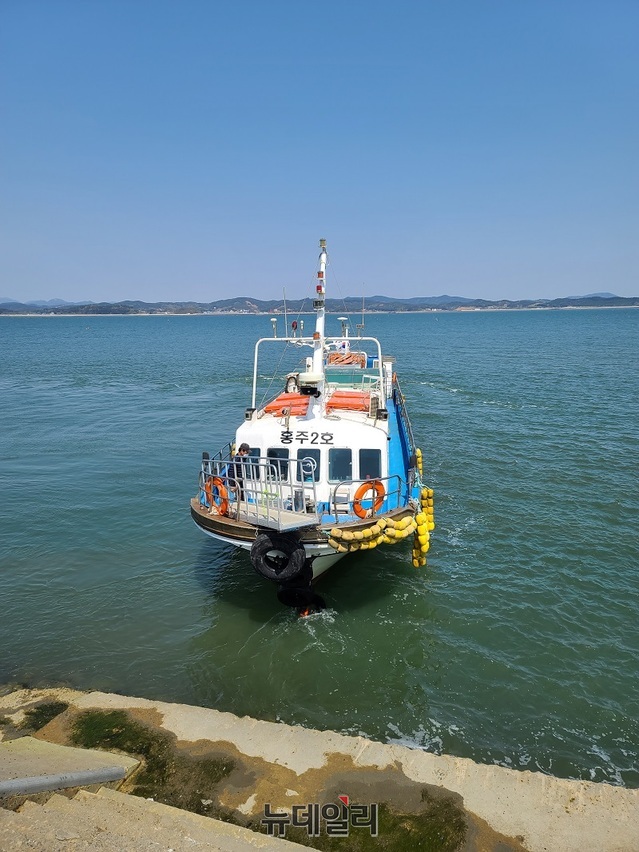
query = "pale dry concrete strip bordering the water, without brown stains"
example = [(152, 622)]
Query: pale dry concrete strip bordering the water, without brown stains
[(544, 812)]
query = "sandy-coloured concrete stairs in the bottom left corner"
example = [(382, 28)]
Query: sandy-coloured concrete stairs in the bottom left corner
[(110, 821)]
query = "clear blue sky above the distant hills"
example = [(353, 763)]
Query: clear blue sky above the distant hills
[(198, 149)]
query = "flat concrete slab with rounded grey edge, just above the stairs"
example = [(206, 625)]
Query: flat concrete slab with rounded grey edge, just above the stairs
[(29, 765)]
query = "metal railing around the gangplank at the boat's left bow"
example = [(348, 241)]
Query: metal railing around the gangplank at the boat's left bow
[(278, 494)]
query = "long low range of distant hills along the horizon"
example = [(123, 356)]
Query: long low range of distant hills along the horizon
[(351, 305)]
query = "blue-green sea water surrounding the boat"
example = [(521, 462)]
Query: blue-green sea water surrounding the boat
[(518, 644)]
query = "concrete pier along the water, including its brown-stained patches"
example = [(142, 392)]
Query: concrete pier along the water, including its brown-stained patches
[(283, 765)]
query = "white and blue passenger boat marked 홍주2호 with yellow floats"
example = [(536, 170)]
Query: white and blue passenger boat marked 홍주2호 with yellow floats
[(324, 466)]
